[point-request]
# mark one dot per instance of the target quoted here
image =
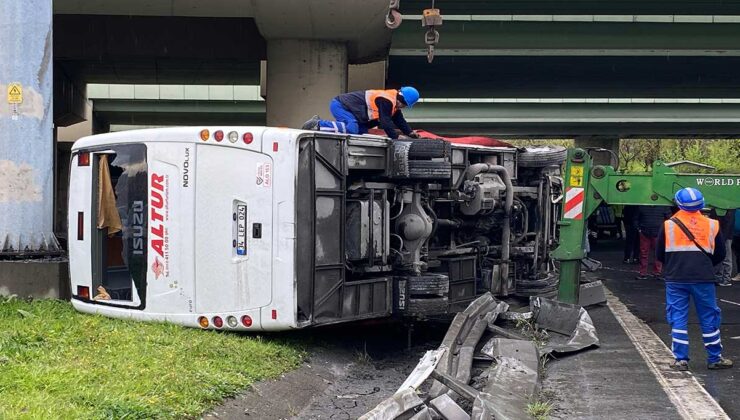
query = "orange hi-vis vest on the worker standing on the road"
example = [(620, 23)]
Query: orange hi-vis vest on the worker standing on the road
[(703, 228)]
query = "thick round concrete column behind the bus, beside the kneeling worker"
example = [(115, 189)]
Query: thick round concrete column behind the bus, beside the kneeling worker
[(302, 78)]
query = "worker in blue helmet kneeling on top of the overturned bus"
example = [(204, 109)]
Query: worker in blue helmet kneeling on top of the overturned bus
[(356, 112)]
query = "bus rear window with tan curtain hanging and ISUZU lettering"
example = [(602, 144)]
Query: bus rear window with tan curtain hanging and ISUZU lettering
[(119, 254)]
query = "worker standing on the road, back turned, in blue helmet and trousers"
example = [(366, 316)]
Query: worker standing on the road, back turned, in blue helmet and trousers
[(689, 246)]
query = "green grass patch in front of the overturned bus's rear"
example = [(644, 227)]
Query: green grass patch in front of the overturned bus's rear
[(57, 363)]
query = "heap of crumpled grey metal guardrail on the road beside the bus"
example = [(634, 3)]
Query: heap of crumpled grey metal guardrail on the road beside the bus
[(511, 382)]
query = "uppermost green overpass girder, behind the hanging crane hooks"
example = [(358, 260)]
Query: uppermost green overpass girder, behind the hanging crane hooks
[(570, 38)]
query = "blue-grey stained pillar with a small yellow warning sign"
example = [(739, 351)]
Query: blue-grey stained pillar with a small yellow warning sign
[(26, 136)]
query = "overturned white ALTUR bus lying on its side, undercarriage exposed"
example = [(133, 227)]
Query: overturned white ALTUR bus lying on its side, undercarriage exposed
[(258, 228)]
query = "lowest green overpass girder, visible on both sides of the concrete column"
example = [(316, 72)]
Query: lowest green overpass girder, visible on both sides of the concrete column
[(691, 118)]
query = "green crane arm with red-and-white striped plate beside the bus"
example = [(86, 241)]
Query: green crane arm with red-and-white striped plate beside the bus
[(587, 186)]
